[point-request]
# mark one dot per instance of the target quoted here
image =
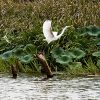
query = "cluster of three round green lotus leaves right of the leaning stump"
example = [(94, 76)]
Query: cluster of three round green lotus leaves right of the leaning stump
[(65, 57)]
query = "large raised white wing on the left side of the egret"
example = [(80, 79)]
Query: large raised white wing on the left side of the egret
[(47, 29)]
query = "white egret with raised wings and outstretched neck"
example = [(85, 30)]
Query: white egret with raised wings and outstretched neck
[(49, 34)]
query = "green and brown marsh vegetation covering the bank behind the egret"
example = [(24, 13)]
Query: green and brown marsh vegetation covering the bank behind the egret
[(76, 53)]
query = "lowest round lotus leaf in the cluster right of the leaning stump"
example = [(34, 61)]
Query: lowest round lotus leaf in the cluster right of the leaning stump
[(64, 59)]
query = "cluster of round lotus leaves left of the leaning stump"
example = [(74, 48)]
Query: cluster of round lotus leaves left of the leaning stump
[(23, 54)]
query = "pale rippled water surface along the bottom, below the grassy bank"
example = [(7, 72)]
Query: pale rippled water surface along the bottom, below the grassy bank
[(30, 88)]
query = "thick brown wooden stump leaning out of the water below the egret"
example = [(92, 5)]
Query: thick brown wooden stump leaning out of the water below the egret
[(45, 65)]
